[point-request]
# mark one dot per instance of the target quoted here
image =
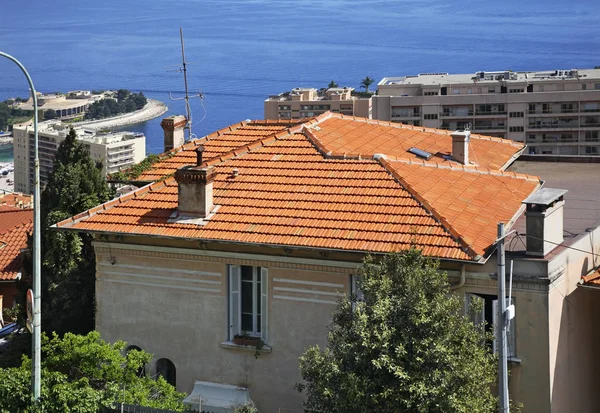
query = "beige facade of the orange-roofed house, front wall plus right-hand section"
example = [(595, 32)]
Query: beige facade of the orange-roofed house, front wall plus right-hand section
[(174, 300)]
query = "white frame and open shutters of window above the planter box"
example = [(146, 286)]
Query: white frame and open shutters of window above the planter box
[(235, 302)]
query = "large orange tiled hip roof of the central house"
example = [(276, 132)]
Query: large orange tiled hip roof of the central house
[(335, 183)]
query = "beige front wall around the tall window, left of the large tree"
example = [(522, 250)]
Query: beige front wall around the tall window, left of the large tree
[(175, 306)]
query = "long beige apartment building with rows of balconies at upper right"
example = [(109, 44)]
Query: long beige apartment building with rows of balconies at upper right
[(554, 112)]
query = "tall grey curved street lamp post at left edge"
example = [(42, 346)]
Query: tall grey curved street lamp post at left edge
[(37, 311)]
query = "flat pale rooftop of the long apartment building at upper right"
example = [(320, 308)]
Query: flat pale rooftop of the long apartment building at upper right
[(430, 79)]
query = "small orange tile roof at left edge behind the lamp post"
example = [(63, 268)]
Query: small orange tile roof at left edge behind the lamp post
[(15, 225)]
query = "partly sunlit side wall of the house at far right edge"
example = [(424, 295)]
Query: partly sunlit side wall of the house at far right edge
[(574, 328)]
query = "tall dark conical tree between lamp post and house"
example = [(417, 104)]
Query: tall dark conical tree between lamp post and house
[(75, 185)]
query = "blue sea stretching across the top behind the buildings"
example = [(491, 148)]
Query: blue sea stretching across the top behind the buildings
[(242, 51)]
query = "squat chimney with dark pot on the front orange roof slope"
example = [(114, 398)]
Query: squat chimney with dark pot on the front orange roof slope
[(195, 188)]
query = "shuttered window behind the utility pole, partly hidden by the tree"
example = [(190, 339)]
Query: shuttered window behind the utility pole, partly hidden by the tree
[(483, 310)]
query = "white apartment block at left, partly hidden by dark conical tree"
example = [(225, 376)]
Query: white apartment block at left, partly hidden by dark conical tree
[(115, 150)]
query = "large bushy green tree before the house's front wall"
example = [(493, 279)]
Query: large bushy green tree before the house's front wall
[(404, 347)]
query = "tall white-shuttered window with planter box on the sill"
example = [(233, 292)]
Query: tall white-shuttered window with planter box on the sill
[(248, 301)]
